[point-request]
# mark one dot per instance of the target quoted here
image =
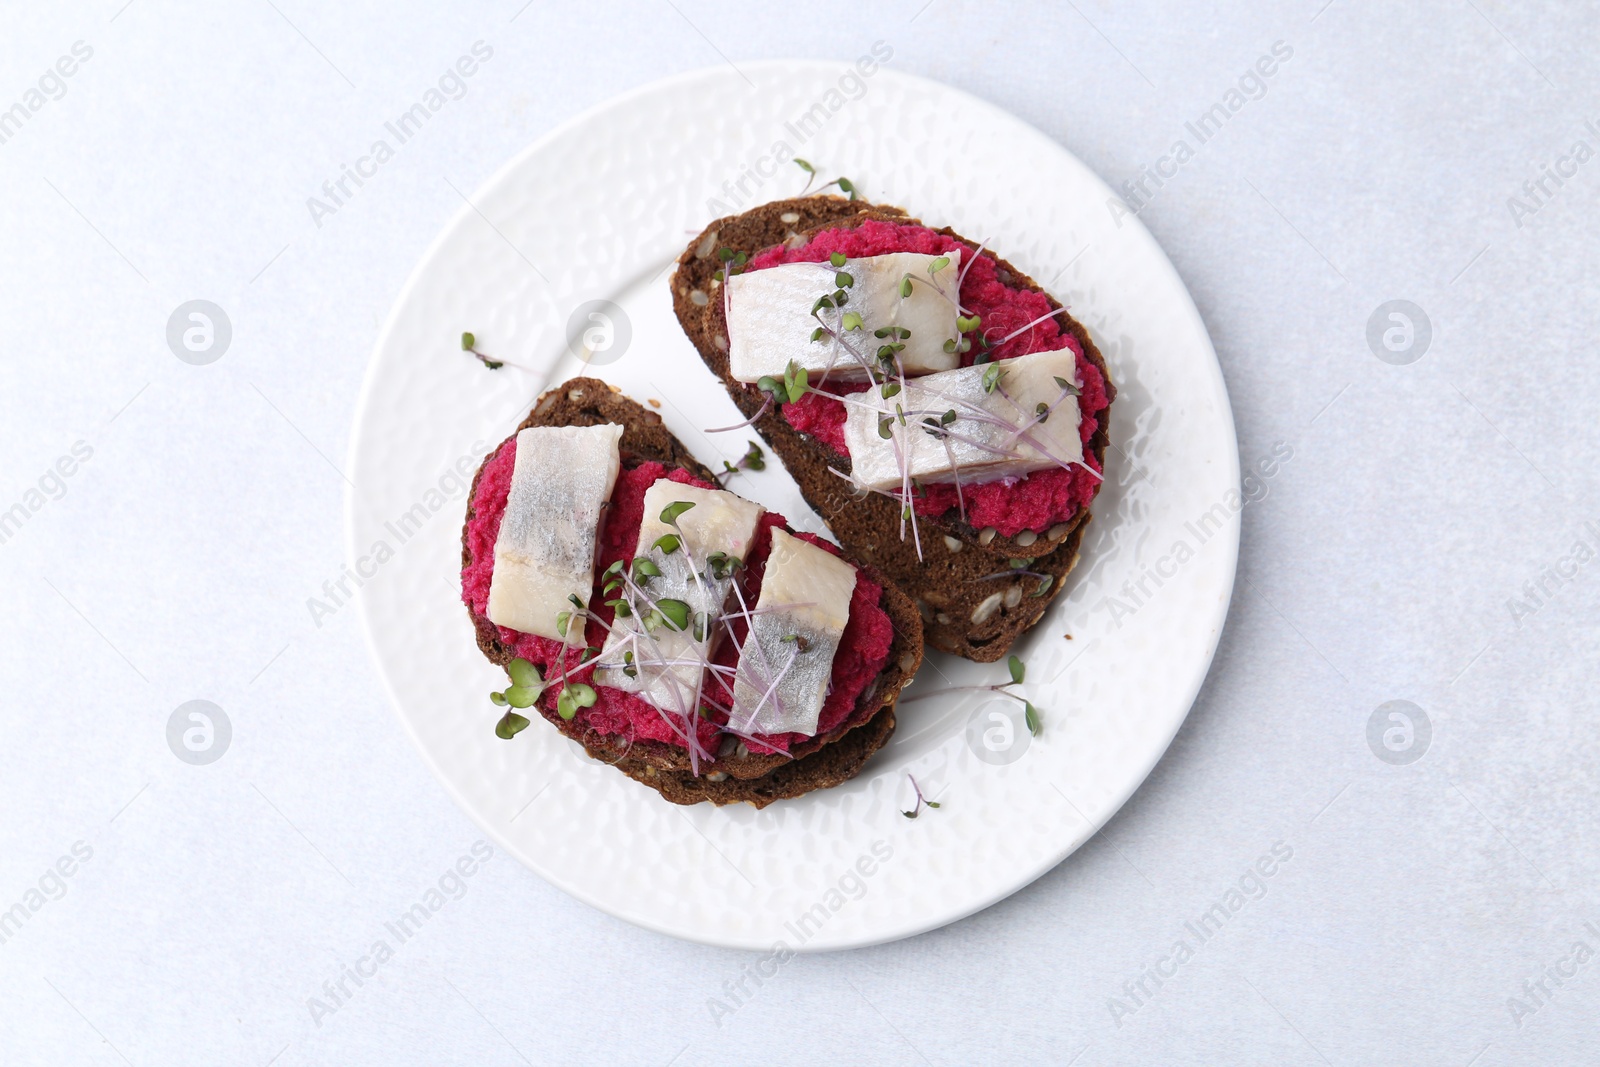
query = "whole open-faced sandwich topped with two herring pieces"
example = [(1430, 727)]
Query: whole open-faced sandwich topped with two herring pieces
[(937, 407)]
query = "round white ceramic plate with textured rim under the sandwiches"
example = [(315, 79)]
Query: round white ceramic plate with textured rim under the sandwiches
[(599, 210)]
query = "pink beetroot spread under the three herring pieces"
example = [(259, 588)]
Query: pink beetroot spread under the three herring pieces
[(862, 655)]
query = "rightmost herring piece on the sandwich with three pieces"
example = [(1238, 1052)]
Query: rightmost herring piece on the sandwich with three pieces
[(780, 685)]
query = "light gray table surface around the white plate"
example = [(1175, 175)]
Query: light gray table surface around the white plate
[(1428, 541)]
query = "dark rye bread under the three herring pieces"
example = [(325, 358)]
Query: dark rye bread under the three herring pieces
[(737, 775)]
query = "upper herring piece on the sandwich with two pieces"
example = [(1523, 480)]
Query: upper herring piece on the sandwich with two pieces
[(770, 316)]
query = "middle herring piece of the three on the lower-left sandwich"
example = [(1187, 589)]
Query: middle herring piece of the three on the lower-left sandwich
[(670, 663)]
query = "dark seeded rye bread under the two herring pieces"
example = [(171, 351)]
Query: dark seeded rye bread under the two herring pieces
[(966, 610)]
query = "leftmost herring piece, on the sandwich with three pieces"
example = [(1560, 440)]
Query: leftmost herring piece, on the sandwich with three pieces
[(546, 549)]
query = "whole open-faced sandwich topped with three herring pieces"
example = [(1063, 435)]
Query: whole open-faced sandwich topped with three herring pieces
[(671, 628)]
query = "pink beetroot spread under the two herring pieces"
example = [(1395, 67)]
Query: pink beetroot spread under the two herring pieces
[(1052, 497)]
